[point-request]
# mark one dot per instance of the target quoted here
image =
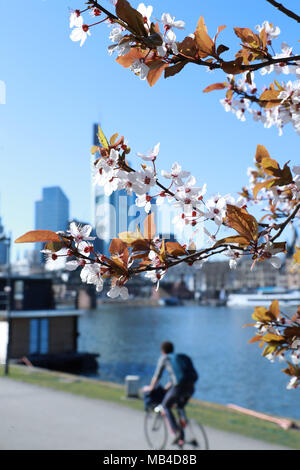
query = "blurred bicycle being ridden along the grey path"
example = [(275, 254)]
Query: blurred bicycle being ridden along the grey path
[(156, 430)]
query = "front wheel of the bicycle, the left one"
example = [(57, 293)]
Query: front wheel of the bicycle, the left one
[(155, 430)]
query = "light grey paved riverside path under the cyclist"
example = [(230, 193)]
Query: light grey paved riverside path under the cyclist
[(37, 418)]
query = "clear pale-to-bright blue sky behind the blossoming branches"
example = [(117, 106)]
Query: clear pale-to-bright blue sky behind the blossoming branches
[(55, 90)]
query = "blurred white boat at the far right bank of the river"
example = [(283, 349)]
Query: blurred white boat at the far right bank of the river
[(263, 297)]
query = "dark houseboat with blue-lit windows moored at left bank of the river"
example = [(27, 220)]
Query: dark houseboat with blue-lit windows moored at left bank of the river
[(40, 334)]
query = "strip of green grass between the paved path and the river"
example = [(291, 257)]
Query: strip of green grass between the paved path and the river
[(213, 415)]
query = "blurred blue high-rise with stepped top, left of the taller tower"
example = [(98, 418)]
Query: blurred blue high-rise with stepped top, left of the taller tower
[(52, 211)]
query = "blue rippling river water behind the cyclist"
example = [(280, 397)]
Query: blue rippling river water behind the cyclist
[(230, 369)]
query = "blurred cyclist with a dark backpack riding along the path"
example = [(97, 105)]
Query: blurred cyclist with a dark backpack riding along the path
[(180, 387)]
